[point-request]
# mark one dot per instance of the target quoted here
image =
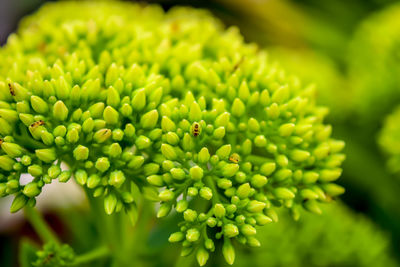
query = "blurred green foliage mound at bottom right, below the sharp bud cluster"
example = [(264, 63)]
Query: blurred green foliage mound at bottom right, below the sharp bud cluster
[(339, 238)]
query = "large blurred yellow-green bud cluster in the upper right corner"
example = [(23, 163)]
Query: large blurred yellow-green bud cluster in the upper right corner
[(374, 64)]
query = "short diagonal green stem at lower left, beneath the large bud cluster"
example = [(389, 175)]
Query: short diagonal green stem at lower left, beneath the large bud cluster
[(44, 231)]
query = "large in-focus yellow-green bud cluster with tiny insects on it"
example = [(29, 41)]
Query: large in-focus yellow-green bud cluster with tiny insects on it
[(169, 106)]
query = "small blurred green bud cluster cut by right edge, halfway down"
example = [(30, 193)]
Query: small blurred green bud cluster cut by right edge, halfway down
[(389, 140)]
